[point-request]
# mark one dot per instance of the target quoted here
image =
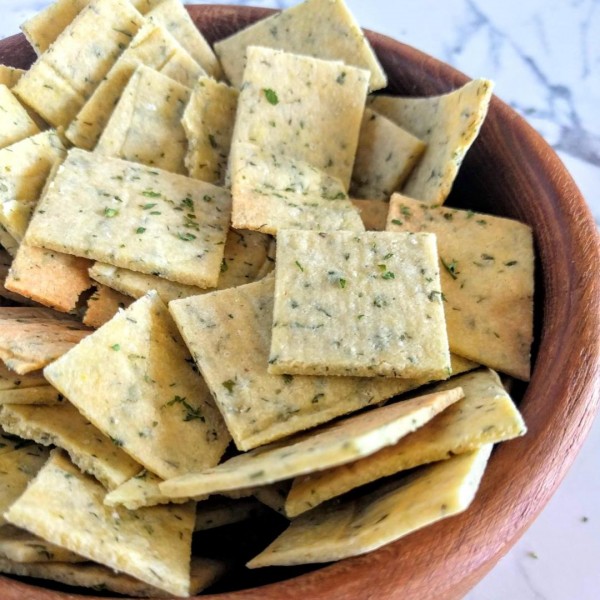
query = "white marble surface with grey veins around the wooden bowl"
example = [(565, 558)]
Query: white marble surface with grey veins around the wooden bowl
[(545, 58)]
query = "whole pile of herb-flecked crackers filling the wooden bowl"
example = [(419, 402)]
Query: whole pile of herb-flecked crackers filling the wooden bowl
[(233, 296)]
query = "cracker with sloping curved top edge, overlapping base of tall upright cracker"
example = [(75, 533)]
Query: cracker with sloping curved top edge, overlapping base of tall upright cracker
[(272, 192)]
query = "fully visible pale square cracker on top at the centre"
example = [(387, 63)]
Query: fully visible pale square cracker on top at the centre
[(363, 304)]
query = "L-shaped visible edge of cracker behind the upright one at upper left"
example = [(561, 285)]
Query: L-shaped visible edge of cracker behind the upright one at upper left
[(152, 46)]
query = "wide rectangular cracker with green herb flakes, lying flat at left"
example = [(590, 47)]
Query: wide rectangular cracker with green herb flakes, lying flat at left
[(148, 220)]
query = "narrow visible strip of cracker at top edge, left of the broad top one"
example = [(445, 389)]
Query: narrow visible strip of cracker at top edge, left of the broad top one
[(173, 15)]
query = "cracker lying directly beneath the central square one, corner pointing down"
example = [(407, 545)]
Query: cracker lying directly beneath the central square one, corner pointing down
[(259, 407)]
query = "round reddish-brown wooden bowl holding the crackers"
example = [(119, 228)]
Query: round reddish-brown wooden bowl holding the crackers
[(509, 171)]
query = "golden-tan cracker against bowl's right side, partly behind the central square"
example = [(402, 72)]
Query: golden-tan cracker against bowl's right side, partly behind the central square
[(487, 268)]
